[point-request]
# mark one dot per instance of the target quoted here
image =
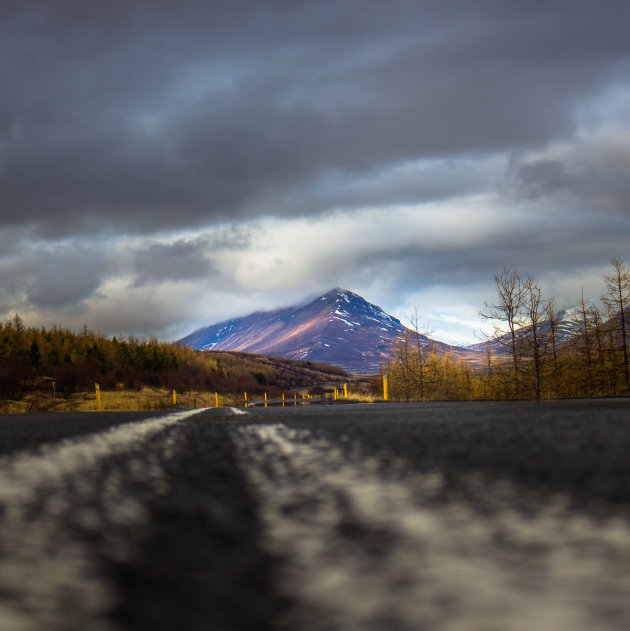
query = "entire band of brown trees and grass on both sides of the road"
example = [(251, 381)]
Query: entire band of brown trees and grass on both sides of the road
[(526, 359)]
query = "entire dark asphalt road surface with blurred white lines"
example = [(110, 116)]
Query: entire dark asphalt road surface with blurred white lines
[(483, 516)]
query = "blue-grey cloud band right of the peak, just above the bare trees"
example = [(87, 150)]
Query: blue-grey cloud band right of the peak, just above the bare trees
[(535, 248)]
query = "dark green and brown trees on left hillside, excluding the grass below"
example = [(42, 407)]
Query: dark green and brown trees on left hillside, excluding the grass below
[(32, 358)]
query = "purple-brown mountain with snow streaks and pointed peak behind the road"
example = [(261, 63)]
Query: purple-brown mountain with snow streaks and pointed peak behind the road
[(339, 328)]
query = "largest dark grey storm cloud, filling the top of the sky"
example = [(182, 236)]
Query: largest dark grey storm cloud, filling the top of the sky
[(144, 116)]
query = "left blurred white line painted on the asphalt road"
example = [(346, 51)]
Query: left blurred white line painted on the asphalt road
[(42, 570)]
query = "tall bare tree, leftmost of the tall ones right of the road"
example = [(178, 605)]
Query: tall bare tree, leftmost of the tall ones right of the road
[(507, 314)]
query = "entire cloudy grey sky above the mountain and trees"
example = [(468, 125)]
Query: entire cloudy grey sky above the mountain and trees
[(168, 165)]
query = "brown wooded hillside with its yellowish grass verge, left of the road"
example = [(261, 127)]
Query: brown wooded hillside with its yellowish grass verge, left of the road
[(35, 363)]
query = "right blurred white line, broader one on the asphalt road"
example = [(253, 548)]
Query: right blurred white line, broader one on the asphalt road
[(367, 550)]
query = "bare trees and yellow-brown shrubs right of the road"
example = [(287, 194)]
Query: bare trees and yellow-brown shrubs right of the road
[(528, 357)]
